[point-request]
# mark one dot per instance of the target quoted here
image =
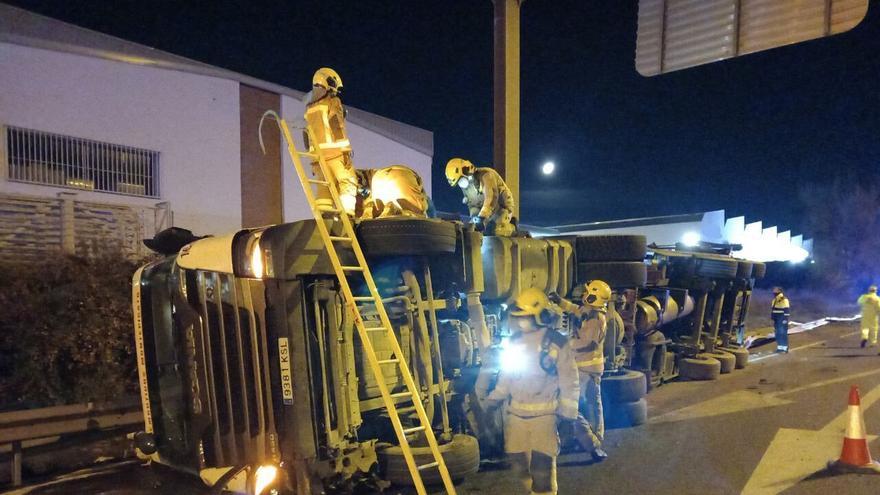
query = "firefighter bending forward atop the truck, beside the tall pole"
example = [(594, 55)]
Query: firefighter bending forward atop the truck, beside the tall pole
[(486, 195)]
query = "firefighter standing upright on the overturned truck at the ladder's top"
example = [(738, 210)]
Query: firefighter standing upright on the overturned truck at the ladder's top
[(325, 120)]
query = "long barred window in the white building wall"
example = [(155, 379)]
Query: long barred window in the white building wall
[(45, 158)]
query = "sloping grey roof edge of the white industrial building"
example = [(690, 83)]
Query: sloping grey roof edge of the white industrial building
[(22, 27)]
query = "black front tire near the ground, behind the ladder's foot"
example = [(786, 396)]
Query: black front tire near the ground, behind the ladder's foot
[(462, 457)]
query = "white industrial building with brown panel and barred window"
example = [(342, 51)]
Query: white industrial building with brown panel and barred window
[(105, 140)]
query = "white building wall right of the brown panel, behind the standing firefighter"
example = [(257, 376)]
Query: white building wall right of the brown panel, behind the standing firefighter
[(371, 150)]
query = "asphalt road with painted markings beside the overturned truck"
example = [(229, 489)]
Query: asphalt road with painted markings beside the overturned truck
[(769, 428)]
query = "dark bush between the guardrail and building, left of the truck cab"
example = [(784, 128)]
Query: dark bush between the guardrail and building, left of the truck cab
[(66, 331)]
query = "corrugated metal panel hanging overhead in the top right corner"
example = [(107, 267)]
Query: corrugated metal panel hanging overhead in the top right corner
[(675, 34)]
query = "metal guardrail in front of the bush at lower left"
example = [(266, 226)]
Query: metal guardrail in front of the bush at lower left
[(18, 427)]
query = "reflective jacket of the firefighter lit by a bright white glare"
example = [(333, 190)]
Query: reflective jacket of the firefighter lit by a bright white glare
[(530, 389)]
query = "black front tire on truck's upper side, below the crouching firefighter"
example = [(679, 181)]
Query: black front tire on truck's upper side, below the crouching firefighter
[(406, 236)]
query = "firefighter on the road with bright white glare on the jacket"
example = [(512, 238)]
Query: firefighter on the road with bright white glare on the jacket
[(538, 382)]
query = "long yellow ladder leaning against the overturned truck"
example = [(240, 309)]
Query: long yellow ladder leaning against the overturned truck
[(343, 272)]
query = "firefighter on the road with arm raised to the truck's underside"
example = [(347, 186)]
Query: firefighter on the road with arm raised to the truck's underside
[(588, 343)]
